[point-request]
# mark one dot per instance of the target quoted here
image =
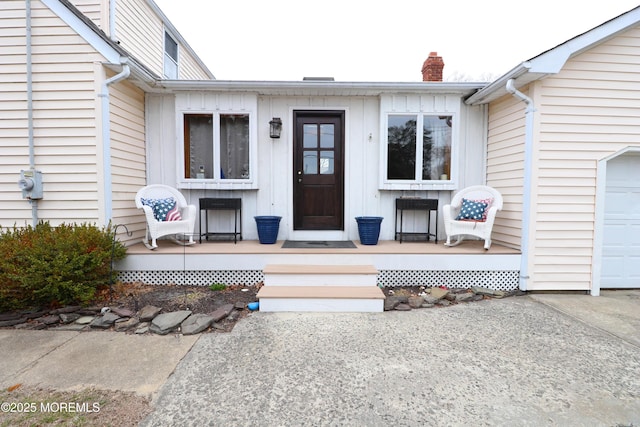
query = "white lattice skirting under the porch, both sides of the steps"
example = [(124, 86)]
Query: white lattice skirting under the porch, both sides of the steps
[(497, 280)]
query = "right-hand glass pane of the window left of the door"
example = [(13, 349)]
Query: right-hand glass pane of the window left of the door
[(234, 146)]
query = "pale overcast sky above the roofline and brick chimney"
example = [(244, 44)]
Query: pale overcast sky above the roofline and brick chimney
[(375, 40)]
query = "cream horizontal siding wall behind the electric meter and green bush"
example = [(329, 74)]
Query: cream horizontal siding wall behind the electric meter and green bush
[(64, 99)]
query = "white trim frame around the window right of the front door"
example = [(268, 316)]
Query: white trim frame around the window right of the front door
[(418, 184)]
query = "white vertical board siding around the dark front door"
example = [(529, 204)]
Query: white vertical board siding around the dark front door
[(274, 195)]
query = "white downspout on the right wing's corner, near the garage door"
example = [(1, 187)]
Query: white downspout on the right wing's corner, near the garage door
[(526, 191)]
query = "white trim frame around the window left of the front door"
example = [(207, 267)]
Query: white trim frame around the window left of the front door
[(217, 182)]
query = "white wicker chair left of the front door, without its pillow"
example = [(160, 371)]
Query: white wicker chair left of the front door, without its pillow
[(155, 228)]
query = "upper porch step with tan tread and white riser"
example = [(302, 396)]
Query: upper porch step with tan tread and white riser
[(320, 275)]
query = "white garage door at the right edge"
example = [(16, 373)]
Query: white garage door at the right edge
[(621, 242)]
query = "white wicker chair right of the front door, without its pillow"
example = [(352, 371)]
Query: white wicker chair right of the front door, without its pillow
[(463, 228)]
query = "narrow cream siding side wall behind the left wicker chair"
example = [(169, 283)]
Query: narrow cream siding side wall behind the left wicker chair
[(128, 158)]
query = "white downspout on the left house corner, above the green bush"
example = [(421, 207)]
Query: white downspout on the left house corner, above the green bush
[(106, 135)]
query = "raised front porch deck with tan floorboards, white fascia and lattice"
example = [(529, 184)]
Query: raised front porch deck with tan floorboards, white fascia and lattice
[(424, 263)]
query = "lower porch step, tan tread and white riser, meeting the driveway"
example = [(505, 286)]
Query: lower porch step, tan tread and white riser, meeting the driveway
[(321, 299)]
